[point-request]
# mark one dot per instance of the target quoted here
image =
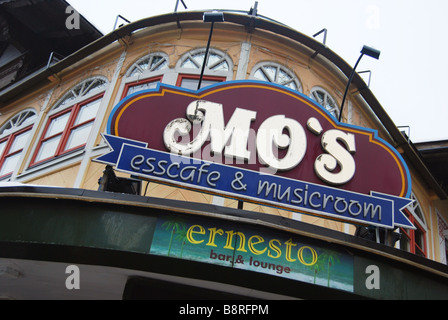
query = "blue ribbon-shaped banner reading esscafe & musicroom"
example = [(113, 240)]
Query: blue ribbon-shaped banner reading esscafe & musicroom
[(375, 209)]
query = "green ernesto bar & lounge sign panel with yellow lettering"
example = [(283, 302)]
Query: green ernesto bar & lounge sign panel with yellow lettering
[(247, 248)]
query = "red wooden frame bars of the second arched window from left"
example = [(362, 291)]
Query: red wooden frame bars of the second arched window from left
[(69, 127)]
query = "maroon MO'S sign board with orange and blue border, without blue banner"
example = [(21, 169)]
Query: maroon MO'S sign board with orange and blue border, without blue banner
[(262, 127)]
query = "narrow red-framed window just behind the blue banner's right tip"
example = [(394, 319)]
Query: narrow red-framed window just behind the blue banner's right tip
[(414, 241)]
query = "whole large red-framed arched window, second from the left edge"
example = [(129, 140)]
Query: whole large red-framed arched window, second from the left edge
[(70, 121)]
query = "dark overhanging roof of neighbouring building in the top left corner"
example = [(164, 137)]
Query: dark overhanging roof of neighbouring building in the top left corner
[(34, 36)]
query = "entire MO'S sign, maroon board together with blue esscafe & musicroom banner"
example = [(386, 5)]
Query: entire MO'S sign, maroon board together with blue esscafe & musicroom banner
[(263, 143)]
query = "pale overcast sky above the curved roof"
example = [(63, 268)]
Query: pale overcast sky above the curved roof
[(410, 78)]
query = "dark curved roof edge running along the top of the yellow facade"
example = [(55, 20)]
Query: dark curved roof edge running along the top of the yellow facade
[(251, 22)]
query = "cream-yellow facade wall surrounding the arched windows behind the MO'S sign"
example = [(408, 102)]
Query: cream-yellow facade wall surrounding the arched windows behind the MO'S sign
[(245, 50)]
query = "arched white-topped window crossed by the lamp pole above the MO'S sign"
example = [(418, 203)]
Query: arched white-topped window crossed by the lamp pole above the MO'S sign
[(219, 68)]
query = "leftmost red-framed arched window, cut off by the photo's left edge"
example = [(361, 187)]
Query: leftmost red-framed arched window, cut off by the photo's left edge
[(14, 135)]
